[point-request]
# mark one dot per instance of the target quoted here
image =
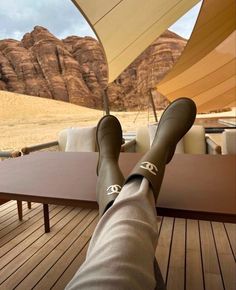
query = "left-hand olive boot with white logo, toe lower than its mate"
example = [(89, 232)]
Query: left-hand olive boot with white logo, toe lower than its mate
[(110, 178)]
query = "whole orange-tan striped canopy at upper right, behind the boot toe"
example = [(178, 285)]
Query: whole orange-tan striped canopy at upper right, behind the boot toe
[(206, 71)]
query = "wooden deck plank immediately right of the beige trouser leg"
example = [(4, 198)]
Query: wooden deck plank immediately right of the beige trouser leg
[(163, 245)]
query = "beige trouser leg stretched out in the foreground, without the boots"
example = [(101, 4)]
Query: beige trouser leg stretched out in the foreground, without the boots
[(121, 252)]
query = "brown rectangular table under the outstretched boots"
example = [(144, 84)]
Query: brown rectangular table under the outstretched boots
[(192, 183)]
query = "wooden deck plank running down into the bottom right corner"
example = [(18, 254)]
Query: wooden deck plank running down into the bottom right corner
[(227, 263)]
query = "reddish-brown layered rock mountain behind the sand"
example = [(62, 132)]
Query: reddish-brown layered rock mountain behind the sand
[(74, 70)]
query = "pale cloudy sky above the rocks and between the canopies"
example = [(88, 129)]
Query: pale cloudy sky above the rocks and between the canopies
[(61, 18)]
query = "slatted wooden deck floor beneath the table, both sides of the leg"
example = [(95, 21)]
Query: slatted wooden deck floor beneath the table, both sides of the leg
[(191, 254)]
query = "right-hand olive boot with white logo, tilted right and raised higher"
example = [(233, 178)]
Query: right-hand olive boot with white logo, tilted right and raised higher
[(175, 122)]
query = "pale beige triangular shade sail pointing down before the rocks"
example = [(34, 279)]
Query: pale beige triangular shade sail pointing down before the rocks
[(127, 27)]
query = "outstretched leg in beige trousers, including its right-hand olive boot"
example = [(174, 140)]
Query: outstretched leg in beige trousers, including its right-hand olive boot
[(122, 249)]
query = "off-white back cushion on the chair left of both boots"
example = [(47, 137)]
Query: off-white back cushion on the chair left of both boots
[(78, 139)]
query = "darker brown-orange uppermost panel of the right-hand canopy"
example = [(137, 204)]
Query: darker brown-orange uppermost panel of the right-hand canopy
[(216, 21)]
